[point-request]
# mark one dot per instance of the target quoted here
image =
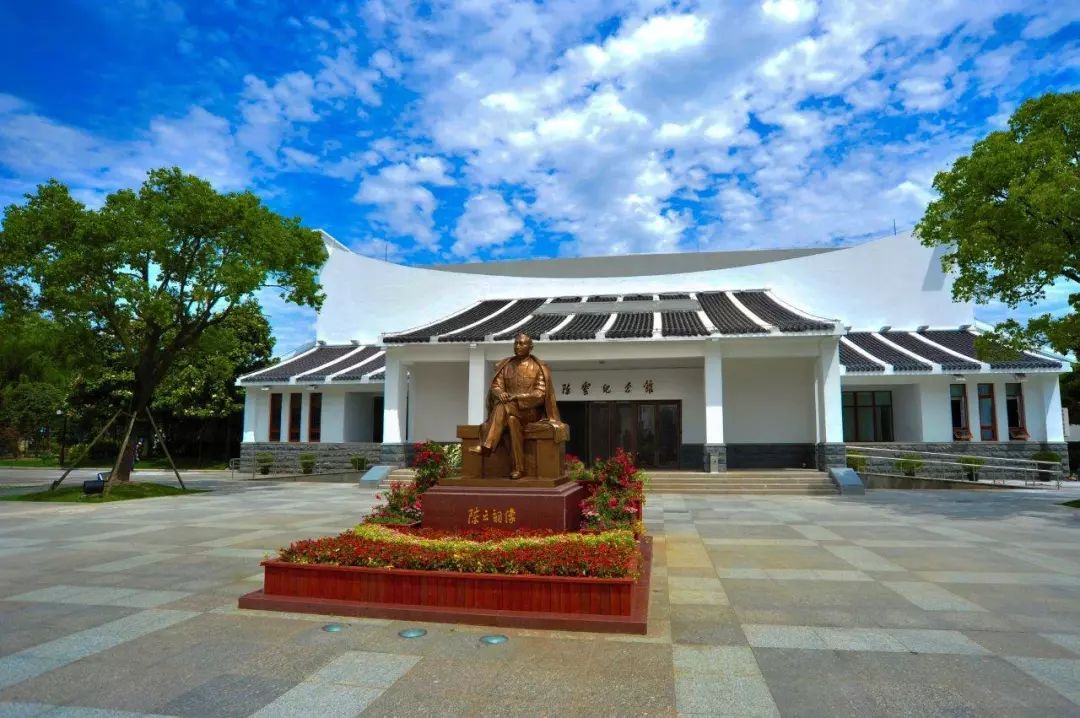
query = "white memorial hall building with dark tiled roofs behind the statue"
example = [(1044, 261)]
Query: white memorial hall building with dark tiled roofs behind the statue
[(708, 361)]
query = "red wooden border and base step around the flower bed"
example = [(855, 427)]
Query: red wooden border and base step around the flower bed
[(521, 602)]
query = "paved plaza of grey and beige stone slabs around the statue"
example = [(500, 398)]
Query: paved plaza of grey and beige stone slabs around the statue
[(899, 603)]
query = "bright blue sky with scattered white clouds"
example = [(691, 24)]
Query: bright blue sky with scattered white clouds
[(462, 131)]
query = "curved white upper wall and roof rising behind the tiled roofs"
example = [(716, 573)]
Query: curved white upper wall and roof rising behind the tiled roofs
[(890, 282)]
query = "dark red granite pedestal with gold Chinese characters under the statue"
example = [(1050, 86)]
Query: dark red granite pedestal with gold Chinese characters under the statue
[(504, 505)]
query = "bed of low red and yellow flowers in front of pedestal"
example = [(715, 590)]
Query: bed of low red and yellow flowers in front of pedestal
[(607, 556)]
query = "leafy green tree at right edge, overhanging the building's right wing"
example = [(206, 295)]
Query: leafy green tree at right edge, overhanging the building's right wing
[(1009, 218)]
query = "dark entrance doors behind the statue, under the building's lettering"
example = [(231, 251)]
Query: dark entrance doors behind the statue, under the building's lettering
[(651, 430)]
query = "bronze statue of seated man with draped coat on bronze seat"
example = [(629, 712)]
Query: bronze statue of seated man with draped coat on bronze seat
[(522, 409)]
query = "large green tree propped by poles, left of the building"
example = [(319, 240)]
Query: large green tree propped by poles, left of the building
[(153, 270)]
